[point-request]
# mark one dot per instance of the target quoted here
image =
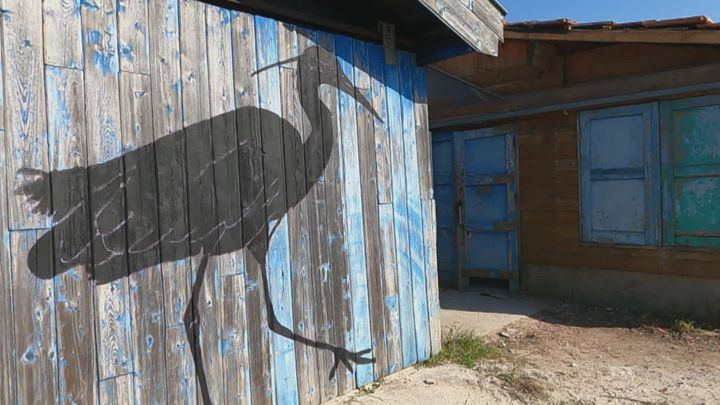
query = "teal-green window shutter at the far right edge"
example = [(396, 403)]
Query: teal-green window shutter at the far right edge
[(691, 171)]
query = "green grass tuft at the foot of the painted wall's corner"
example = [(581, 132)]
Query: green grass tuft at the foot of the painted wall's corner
[(463, 348)]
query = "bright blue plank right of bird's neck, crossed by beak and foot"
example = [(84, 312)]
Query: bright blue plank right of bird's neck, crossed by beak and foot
[(355, 236)]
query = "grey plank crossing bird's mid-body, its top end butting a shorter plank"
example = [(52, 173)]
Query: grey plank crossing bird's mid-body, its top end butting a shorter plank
[(145, 280)]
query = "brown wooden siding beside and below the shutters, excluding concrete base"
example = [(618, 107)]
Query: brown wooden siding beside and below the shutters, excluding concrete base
[(550, 210)]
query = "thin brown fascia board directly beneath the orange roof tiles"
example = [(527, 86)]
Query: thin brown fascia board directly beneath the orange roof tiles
[(707, 37)]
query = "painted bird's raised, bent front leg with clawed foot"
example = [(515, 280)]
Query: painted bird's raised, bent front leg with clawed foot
[(341, 354)]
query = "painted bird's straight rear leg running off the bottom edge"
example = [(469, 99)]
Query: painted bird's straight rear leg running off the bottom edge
[(192, 328)]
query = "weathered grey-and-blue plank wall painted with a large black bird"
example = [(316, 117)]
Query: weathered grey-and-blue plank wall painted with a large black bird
[(202, 205)]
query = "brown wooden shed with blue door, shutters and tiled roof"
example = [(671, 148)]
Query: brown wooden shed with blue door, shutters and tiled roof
[(583, 163)]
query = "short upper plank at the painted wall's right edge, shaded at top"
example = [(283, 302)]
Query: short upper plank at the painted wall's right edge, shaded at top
[(422, 131)]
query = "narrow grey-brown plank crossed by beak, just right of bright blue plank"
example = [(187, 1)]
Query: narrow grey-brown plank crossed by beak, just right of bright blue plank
[(369, 196)]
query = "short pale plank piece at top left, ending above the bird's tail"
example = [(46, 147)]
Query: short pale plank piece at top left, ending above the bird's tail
[(63, 34)]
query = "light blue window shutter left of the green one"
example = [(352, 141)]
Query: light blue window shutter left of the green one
[(620, 175)]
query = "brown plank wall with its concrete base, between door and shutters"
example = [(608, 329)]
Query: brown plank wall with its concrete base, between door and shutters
[(554, 260)]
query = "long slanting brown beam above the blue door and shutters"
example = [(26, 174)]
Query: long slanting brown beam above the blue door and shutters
[(701, 79)]
